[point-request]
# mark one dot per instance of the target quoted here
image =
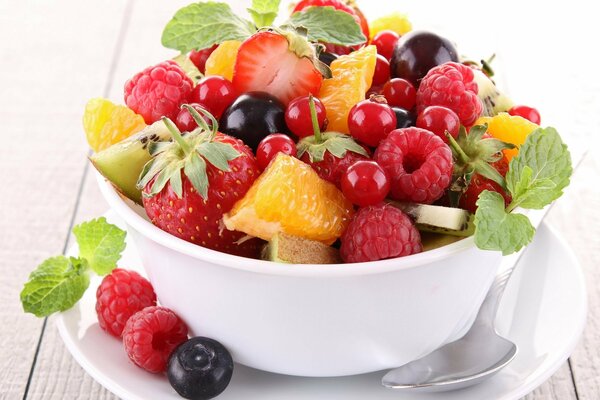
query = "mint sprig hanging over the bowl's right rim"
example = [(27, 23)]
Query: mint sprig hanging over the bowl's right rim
[(536, 177)]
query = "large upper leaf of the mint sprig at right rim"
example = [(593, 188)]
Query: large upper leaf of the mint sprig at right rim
[(541, 170)]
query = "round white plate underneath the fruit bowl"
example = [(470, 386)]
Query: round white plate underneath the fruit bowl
[(543, 312)]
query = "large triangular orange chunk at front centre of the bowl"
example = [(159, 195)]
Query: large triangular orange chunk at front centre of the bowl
[(290, 197)]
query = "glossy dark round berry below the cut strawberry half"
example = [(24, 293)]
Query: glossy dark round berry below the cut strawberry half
[(252, 117)]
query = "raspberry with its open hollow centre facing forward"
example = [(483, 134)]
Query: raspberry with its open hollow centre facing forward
[(418, 162)]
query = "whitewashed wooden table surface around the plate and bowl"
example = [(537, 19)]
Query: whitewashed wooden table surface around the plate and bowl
[(56, 55)]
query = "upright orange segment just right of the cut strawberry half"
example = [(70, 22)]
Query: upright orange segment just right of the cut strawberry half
[(352, 77)]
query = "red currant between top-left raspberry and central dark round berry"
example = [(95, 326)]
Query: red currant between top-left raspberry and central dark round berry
[(215, 93)]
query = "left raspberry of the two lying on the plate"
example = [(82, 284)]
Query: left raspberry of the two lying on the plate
[(120, 295)]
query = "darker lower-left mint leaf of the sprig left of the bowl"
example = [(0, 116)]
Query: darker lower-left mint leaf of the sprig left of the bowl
[(55, 285)]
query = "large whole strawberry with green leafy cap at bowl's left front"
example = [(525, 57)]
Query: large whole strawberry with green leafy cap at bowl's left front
[(191, 182)]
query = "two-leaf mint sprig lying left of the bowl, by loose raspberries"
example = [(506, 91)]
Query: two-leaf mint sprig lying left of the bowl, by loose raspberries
[(59, 282)]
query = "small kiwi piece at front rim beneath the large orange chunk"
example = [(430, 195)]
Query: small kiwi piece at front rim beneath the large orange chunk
[(284, 248)]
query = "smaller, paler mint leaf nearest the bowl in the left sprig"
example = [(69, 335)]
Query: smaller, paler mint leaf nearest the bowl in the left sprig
[(100, 244)]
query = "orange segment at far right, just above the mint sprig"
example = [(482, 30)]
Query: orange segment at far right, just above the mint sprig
[(511, 129)]
